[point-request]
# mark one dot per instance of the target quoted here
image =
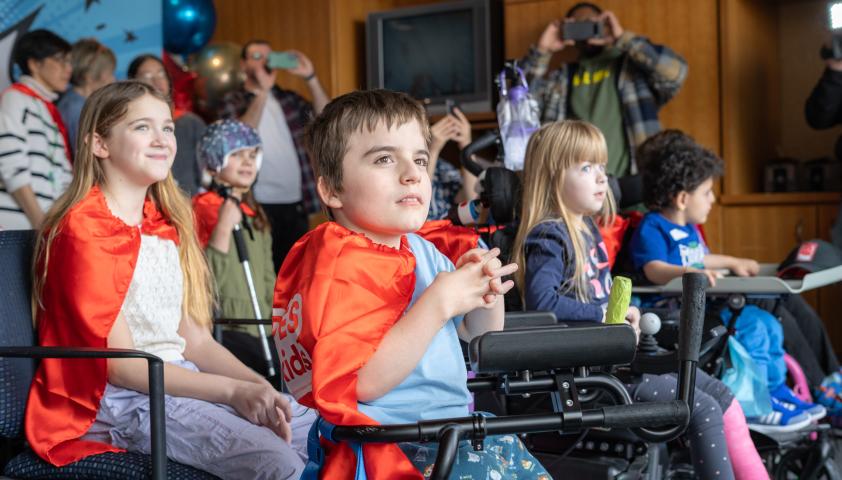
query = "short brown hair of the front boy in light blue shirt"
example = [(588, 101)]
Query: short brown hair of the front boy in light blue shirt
[(328, 135)]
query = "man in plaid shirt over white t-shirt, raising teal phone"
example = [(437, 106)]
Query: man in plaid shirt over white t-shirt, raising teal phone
[(285, 186)]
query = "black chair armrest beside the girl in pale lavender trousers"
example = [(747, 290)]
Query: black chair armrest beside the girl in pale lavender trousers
[(156, 388)]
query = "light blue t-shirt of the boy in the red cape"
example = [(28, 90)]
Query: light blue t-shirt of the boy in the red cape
[(437, 387)]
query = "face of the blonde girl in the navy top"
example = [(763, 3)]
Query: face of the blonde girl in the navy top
[(584, 188)]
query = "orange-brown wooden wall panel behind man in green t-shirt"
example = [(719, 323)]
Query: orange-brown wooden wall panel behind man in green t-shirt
[(690, 27)]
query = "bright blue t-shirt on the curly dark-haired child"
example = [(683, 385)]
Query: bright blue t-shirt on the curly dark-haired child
[(659, 239)]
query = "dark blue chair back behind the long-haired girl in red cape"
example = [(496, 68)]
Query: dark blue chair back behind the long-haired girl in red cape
[(16, 249)]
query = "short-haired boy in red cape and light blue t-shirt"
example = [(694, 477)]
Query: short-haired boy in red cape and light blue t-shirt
[(367, 314)]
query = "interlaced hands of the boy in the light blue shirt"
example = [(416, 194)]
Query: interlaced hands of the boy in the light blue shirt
[(475, 283)]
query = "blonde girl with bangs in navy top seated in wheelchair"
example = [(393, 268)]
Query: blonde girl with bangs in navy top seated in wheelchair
[(565, 269)]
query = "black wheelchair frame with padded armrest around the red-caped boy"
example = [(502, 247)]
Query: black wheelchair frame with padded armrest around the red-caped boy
[(558, 362)]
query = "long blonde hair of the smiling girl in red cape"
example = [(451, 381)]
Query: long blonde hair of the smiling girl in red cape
[(105, 108)]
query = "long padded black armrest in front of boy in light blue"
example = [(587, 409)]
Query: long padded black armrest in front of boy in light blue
[(545, 348)]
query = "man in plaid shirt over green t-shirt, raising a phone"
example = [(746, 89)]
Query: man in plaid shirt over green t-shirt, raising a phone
[(618, 82)]
